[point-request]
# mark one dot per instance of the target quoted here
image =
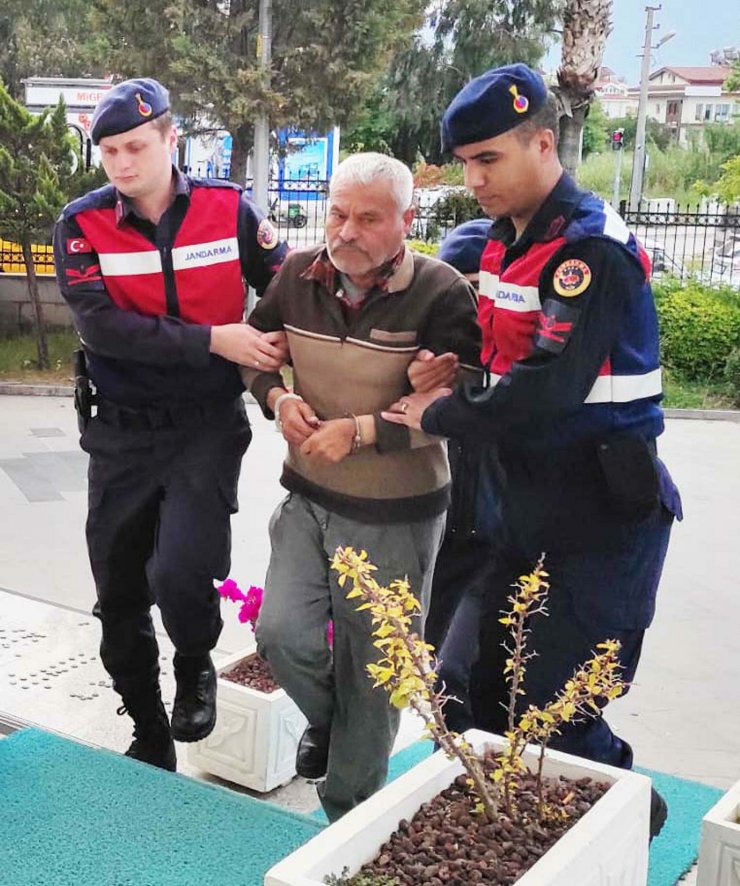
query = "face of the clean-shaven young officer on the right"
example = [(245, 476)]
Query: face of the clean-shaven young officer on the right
[(504, 173)]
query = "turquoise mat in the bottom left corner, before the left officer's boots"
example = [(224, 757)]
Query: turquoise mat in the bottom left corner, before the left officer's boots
[(71, 815)]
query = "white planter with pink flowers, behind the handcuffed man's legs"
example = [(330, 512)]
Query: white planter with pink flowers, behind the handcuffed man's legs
[(256, 736)]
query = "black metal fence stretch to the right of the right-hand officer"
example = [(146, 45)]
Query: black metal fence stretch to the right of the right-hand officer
[(700, 243)]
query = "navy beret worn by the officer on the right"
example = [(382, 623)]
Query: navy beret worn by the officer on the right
[(492, 104)]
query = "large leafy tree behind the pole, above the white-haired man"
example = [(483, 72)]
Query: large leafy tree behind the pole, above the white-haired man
[(326, 55)]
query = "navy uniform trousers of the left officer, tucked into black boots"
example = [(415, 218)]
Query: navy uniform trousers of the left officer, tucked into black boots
[(162, 488)]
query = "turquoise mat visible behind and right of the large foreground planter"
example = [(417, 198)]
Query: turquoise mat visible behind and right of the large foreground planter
[(671, 853)]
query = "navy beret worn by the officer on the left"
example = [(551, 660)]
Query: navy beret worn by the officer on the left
[(128, 105)]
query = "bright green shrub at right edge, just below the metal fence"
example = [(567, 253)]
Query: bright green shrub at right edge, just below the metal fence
[(699, 328)]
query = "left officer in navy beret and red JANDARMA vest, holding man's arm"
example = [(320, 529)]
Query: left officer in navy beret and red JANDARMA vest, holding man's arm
[(153, 267)]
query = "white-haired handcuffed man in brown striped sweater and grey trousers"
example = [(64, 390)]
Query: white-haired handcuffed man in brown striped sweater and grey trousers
[(356, 311)]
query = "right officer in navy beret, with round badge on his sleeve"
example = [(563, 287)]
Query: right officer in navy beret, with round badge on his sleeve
[(575, 410)]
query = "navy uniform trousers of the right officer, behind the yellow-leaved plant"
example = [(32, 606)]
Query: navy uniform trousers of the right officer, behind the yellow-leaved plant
[(594, 595)]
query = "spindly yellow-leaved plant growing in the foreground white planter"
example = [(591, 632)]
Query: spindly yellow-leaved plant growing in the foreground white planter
[(407, 671)]
